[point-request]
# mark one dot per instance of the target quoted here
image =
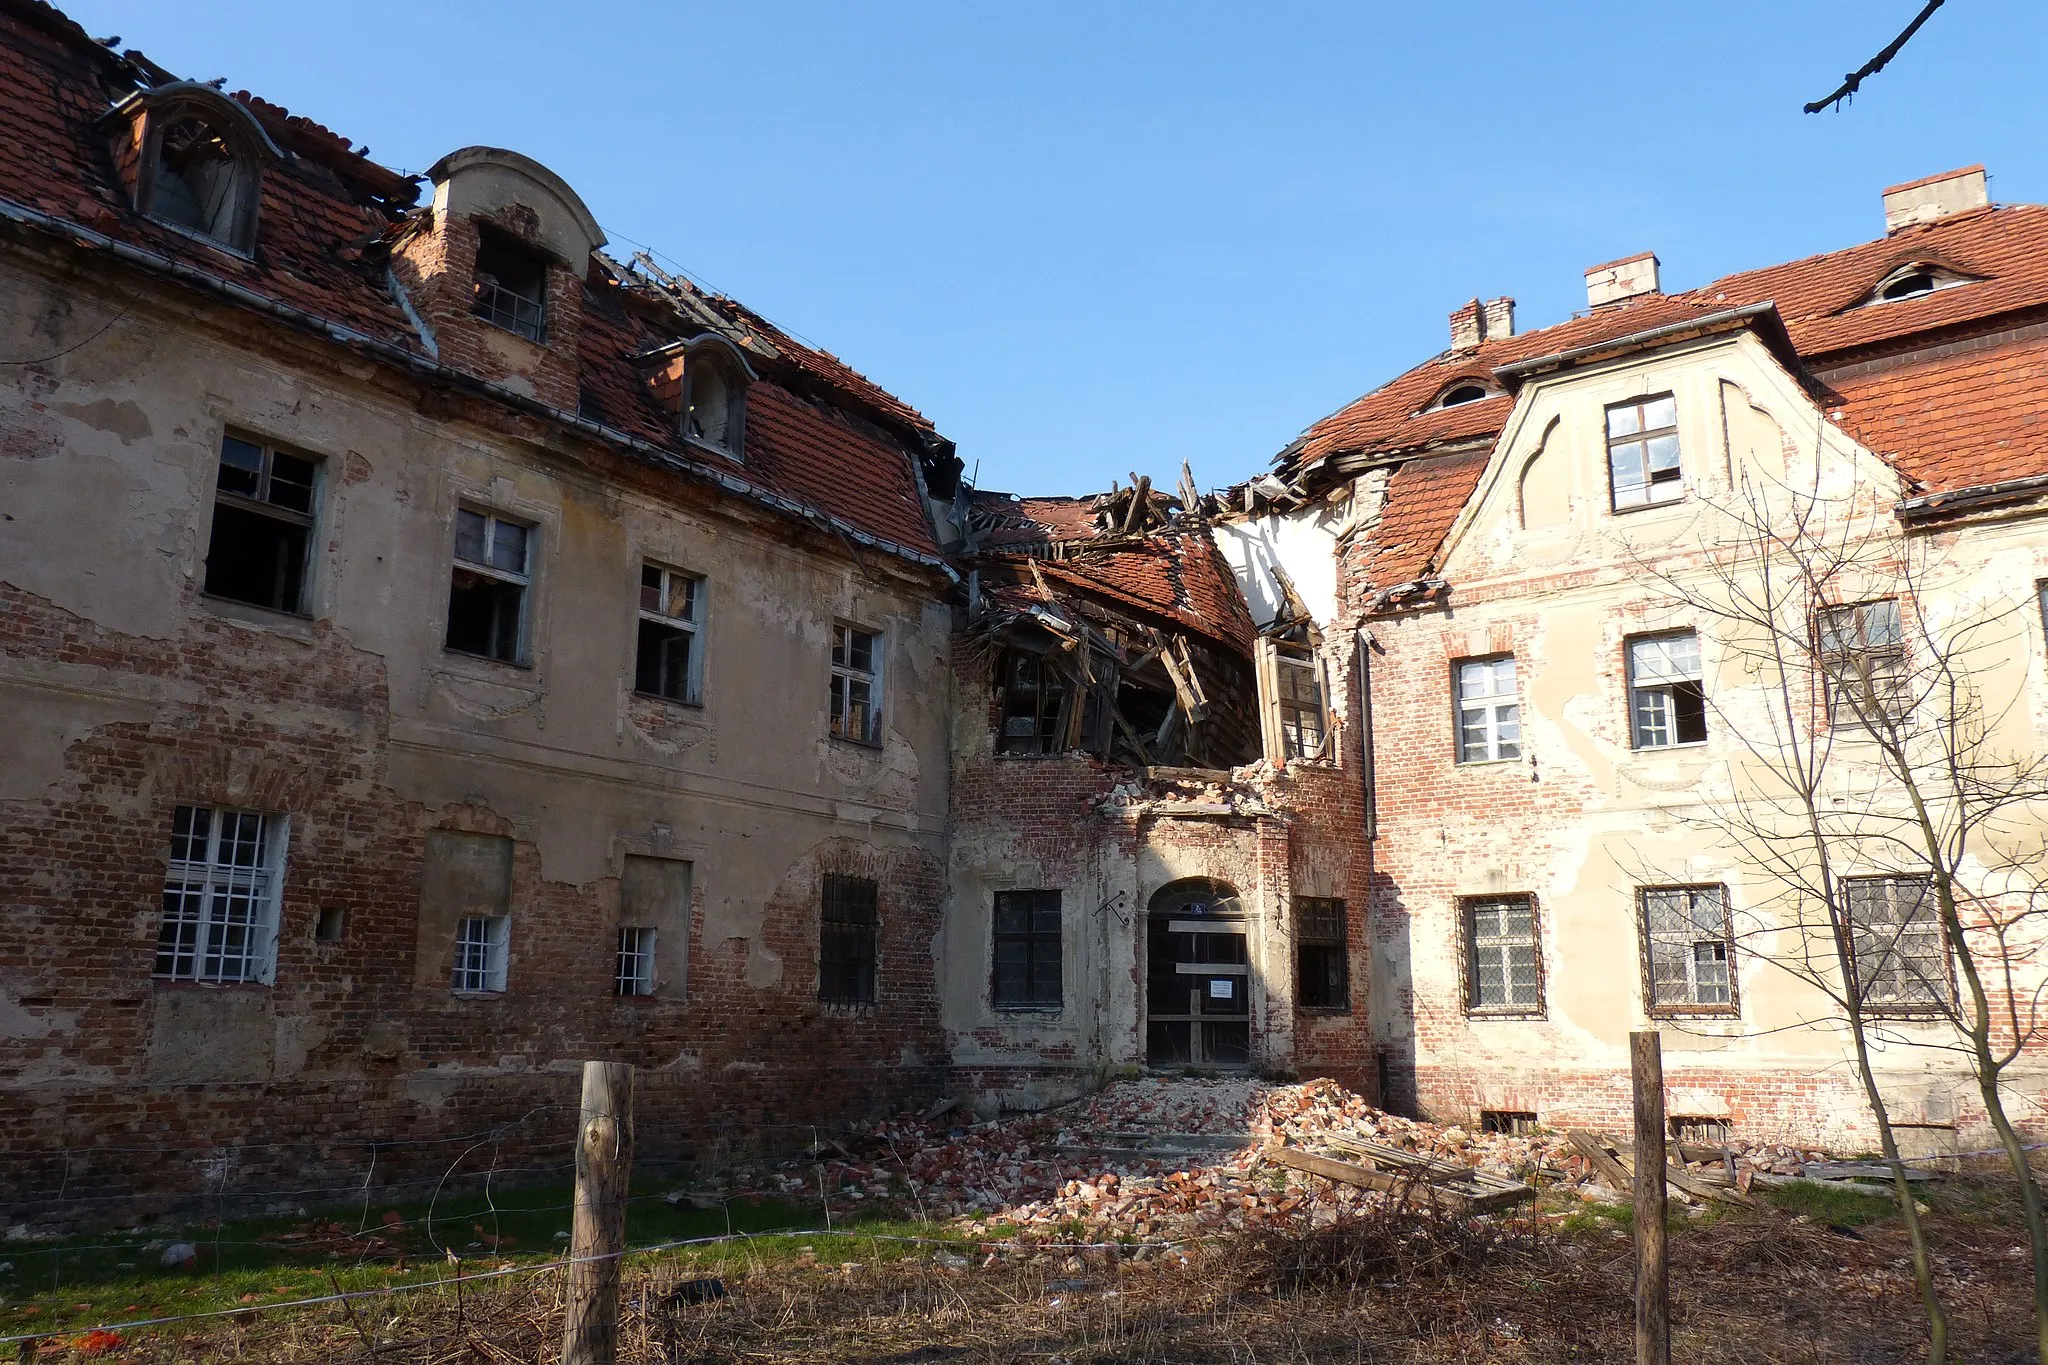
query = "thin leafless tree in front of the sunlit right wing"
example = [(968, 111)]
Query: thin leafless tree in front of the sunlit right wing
[(1891, 803)]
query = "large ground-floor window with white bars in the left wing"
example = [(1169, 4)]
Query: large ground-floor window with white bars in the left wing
[(220, 897)]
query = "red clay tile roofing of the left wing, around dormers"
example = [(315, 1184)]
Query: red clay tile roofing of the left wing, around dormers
[(818, 433)]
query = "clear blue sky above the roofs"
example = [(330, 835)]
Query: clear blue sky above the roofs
[(1095, 238)]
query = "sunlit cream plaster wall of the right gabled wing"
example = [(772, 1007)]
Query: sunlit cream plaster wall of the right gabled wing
[(1543, 570)]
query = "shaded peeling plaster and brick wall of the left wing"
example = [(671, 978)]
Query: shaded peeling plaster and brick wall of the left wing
[(132, 693)]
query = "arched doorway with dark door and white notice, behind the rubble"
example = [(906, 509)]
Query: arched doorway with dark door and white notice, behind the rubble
[(1197, 977)]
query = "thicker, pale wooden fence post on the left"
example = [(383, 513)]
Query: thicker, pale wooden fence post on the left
[(599, 1229)]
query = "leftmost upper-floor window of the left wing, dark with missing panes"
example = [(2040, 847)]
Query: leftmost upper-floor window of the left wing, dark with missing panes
[(263, 527)]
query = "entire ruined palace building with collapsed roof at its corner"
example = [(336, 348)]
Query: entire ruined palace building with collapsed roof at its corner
[(439, 648)]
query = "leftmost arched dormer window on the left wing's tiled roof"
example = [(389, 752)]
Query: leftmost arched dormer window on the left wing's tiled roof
[(200, 161)]
